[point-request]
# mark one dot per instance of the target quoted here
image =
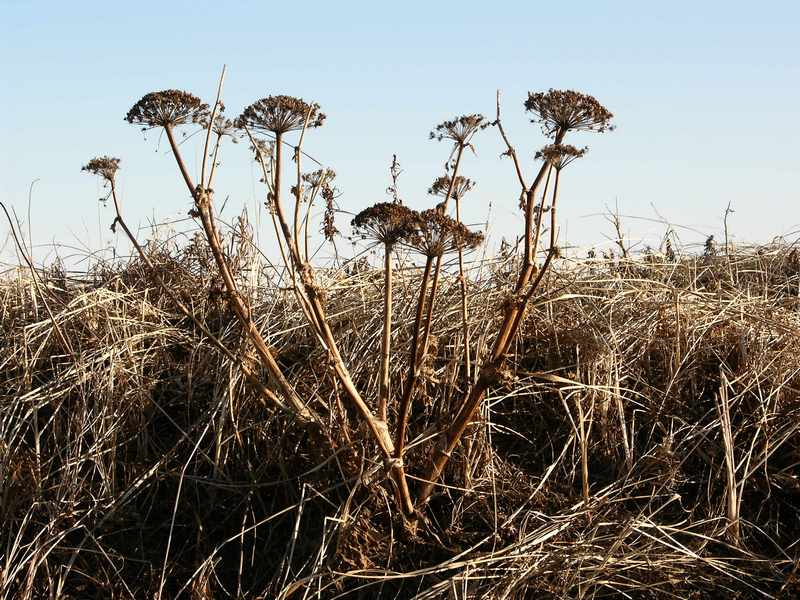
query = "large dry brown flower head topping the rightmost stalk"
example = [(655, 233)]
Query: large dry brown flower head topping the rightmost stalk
[(560, 111)]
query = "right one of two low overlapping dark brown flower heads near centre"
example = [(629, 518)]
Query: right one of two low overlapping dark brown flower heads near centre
[(436, 234)]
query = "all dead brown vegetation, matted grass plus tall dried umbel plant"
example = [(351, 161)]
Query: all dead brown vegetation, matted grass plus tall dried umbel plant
[(197, 422)]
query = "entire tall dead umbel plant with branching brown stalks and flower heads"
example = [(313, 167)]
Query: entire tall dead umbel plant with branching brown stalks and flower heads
[(279, 120)]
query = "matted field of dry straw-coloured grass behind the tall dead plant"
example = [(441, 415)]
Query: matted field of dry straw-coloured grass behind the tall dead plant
[(643, 442)]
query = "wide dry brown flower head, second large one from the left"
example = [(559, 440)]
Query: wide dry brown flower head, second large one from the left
[(280, 114)]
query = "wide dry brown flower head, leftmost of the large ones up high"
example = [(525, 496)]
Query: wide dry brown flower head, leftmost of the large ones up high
[(168, 108)]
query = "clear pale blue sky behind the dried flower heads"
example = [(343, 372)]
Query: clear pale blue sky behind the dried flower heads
[(706, 97)]
